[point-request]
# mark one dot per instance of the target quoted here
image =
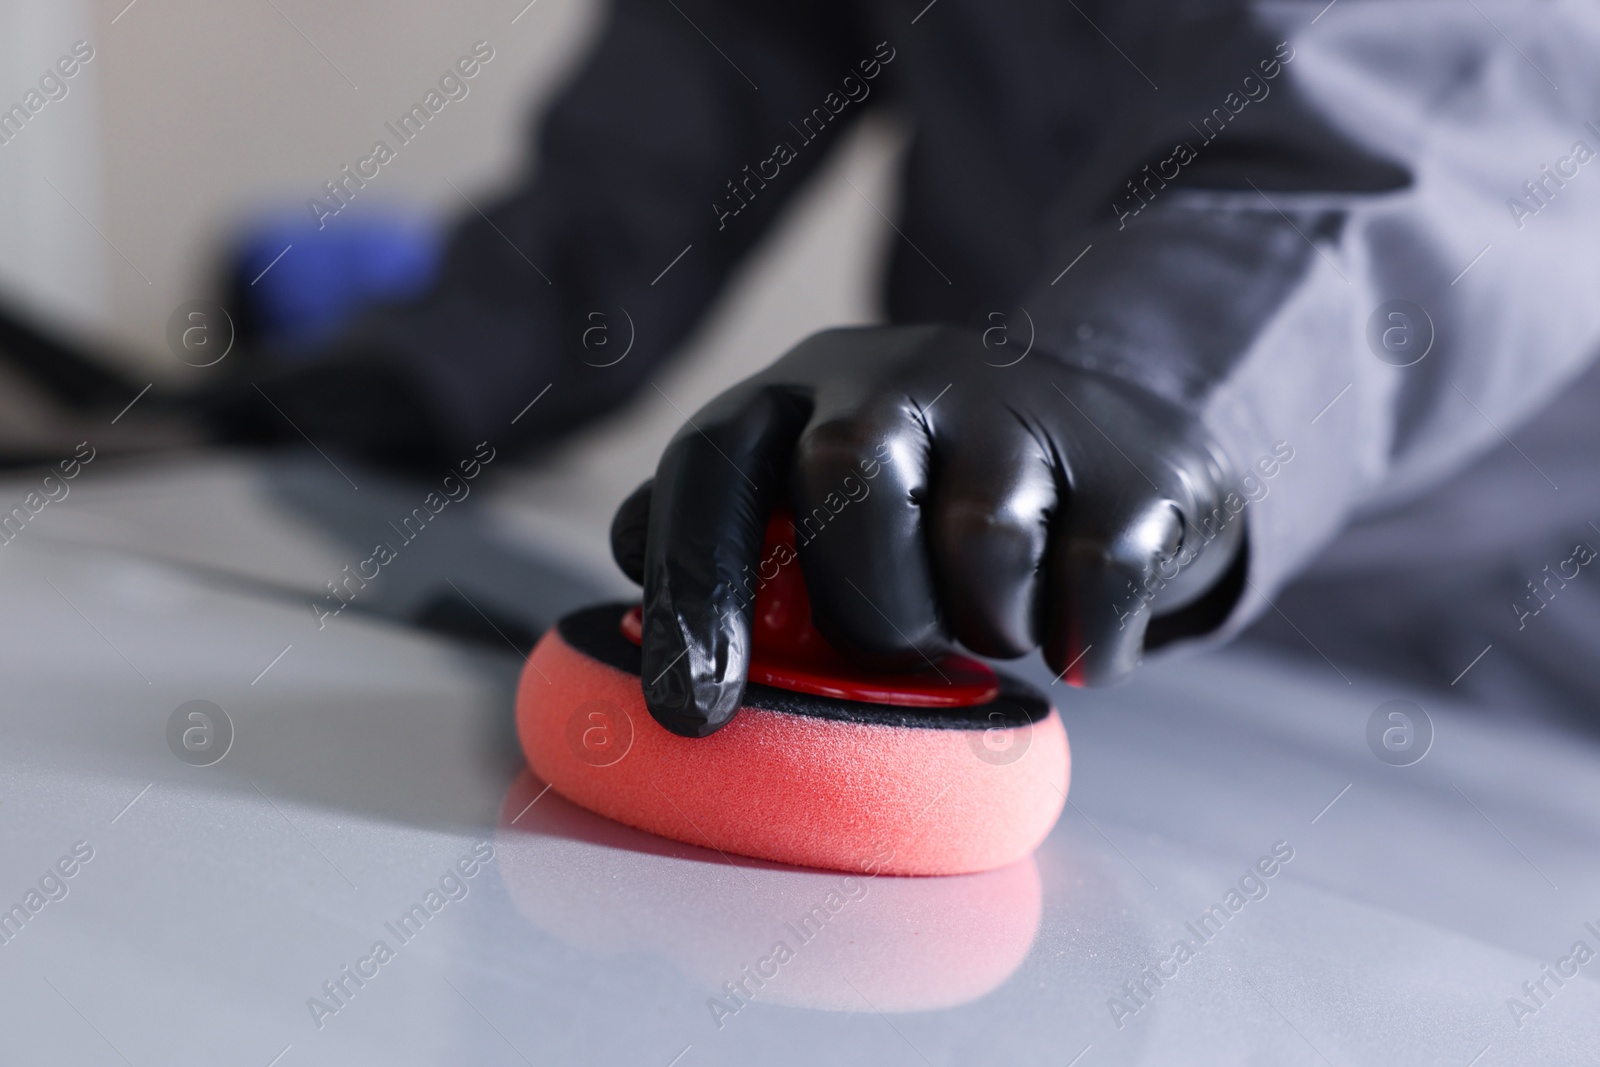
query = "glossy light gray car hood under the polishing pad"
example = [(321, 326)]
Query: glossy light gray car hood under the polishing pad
[(372, 757)]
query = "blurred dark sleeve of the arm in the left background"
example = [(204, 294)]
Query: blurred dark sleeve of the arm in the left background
[(647, 190)]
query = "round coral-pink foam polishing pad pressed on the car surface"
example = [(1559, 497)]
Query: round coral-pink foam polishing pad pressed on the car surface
[(802, 781)]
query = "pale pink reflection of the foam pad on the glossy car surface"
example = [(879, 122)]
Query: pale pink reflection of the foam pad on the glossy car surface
[(886, 945)]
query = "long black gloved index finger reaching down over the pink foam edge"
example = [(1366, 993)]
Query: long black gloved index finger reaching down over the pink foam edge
[(713, 495)]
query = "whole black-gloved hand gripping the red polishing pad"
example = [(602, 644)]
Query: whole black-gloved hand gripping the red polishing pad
[(937, 498)]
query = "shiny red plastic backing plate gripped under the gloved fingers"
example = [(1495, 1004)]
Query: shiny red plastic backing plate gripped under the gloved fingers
[(790, 653)]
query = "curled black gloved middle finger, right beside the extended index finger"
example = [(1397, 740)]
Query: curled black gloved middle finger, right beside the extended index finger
[(858, 490)]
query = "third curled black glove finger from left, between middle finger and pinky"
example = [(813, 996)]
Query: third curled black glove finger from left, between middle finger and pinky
[(991, 503)]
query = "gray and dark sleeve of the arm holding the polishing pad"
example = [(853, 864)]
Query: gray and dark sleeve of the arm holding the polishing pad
[(1310, 202)]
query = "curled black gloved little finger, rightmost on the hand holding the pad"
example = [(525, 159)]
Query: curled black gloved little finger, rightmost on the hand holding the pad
[(1100, 562)]
